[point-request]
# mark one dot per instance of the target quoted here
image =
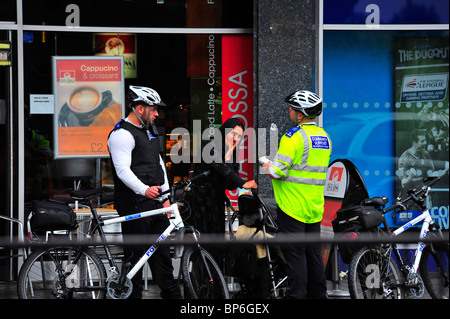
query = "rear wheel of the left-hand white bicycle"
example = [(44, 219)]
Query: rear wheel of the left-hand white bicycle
[(53, 274)]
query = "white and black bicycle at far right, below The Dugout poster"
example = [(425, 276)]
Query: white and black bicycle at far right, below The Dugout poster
[(374, 273)]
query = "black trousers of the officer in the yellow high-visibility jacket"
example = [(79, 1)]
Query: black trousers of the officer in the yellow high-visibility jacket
[(304, 263)]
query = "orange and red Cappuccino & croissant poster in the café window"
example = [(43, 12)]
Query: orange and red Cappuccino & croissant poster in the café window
[(89, 101)]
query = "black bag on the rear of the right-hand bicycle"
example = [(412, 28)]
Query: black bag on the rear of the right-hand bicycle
[(352, 221)]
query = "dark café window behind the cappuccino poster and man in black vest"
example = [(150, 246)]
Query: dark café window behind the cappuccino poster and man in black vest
[(178, 66)]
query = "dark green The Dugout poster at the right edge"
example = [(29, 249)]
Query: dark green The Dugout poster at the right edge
[(422, 122)]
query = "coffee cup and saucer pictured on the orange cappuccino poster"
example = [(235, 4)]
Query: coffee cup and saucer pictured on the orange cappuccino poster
[(83, 106)]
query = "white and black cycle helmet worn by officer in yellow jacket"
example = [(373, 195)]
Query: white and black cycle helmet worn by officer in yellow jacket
[(308, 103)]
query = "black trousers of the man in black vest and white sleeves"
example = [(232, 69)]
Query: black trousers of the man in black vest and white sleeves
[(160, 262)]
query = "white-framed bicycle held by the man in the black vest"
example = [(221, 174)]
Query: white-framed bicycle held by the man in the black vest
[(78, 272)]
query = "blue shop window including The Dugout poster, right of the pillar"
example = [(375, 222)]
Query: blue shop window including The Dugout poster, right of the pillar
[(379, 86)]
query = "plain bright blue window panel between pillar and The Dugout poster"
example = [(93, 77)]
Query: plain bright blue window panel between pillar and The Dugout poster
[(358, 115)]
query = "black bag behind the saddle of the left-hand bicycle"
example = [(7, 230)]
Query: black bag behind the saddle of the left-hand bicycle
[(52, 215)]
